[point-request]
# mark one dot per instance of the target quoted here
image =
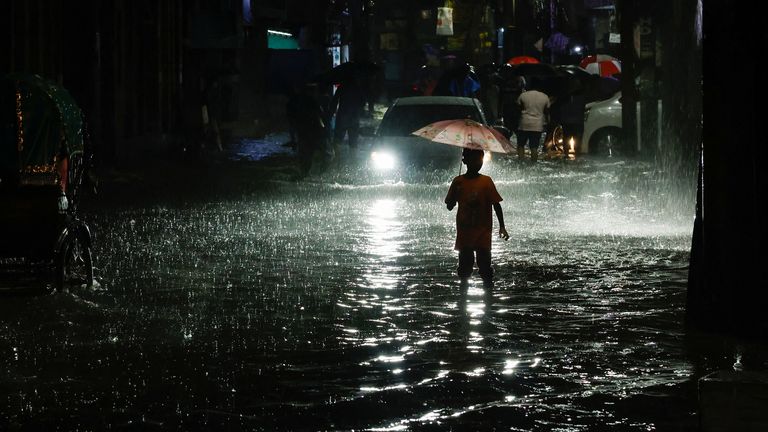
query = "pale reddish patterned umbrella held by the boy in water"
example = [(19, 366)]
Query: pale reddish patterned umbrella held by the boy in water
[(466, 133)]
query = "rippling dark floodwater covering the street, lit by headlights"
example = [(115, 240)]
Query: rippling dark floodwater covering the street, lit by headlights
[(332, 304)]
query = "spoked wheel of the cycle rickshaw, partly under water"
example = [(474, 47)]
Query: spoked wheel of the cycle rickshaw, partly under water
[(75, 266)]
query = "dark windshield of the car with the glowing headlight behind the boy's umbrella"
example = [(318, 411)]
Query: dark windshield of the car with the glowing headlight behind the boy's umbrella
[(404, 119)]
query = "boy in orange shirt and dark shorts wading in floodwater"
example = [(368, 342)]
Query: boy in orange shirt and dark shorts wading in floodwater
[(476, 195)]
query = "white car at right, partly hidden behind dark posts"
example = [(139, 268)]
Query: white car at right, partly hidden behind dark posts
[(602, 128)]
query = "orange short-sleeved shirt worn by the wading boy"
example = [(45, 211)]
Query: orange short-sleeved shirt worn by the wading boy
[(474, 218)]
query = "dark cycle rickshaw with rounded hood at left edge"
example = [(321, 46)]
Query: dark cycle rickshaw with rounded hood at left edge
[(43, 159)]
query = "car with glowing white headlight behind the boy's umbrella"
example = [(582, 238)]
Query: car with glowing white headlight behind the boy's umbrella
[(393, 145)]
